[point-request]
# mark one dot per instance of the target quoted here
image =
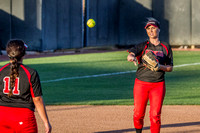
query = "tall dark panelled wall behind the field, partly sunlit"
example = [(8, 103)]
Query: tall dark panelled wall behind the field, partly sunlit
[(60, 24)]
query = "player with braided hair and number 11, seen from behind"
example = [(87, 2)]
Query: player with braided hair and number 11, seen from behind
[(20, 93)]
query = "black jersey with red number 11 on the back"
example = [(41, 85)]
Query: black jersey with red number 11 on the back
[(27, 86)]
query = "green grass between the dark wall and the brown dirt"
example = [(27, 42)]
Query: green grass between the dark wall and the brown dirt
[(183, 84)]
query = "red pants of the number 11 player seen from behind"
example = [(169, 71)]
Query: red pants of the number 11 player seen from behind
[(17, 120)]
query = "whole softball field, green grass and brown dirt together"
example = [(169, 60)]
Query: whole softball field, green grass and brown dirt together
[(105, 105)]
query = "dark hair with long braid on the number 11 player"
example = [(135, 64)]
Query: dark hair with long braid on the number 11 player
[(15, 50)]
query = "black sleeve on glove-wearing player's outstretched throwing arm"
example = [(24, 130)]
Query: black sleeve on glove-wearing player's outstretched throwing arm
[(137, 49)]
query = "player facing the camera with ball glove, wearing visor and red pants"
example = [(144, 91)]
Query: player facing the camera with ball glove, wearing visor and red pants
[(150, 85)]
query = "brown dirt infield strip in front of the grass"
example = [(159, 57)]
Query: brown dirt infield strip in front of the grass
[(118, 119)]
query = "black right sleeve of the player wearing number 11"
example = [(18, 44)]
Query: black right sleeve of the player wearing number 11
[(36, 85)]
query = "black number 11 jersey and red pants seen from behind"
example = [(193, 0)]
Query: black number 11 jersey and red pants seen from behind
[(17, 111)]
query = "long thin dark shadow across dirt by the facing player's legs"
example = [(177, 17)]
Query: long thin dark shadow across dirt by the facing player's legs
[(163, 126)]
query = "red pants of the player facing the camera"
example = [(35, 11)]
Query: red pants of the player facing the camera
[(154, 92)]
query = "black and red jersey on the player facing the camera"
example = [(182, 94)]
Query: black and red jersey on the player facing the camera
[(164, 55)]
